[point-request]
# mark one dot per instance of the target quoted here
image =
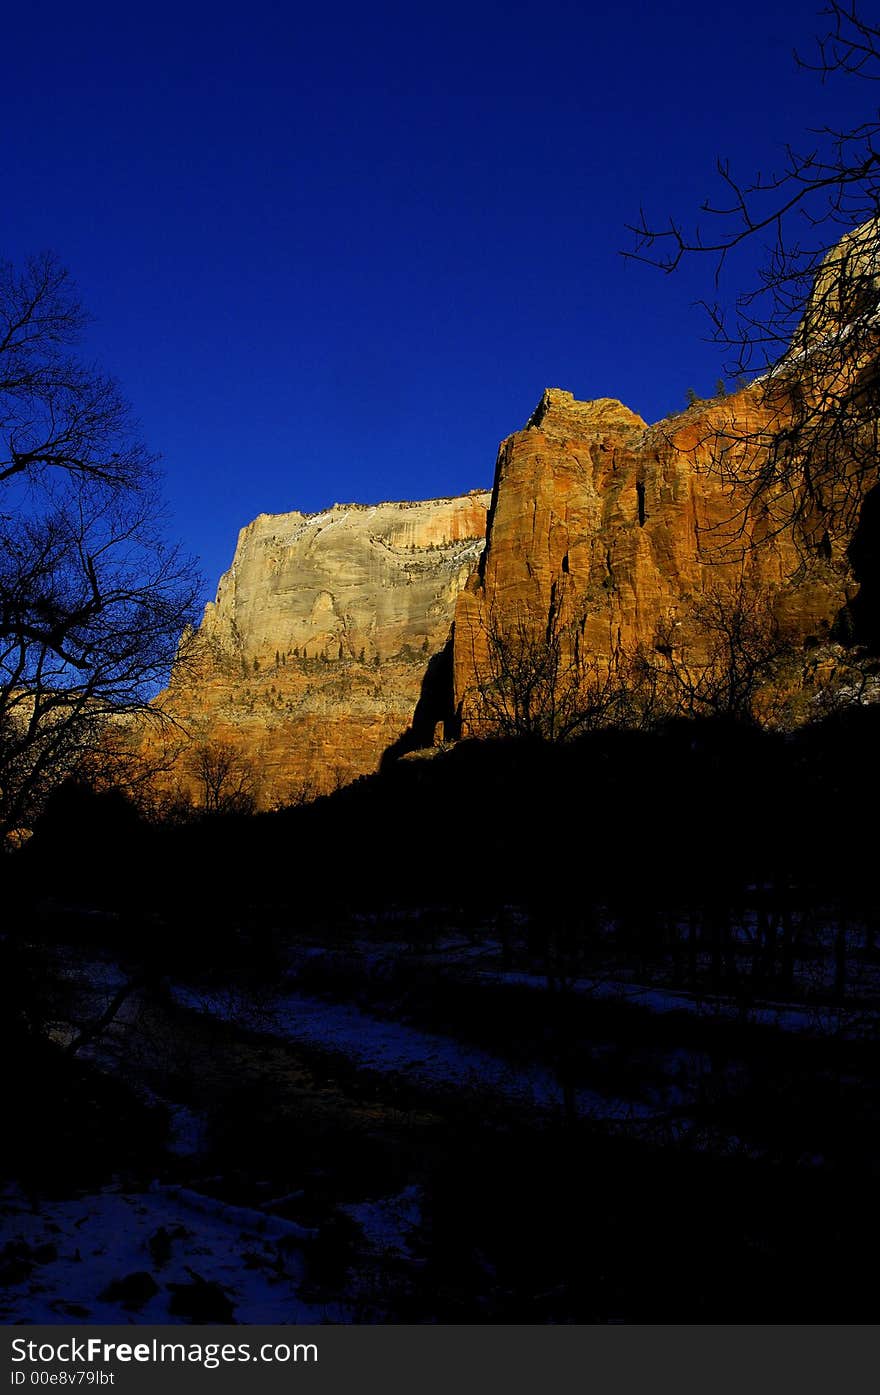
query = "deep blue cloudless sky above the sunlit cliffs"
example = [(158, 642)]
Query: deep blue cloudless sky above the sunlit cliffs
[(337, 252)]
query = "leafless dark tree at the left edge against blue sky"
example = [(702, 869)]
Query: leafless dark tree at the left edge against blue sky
[(93, 599)]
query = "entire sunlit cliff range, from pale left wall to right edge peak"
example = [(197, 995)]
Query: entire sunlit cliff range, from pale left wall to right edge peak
[(331, 628)]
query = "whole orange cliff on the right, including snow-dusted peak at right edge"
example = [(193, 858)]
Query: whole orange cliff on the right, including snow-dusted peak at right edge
[(625, 535)]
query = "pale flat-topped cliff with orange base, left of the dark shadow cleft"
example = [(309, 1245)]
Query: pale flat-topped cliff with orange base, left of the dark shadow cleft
[(312, 658)]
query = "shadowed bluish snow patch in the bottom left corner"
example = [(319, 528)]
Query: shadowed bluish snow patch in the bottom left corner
[(160, 1256)]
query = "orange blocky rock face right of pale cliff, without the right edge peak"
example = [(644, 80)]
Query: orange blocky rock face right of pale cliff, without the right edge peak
[(620, 527)]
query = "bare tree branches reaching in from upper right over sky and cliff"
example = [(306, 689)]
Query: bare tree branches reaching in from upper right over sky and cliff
[(810, 327)]
